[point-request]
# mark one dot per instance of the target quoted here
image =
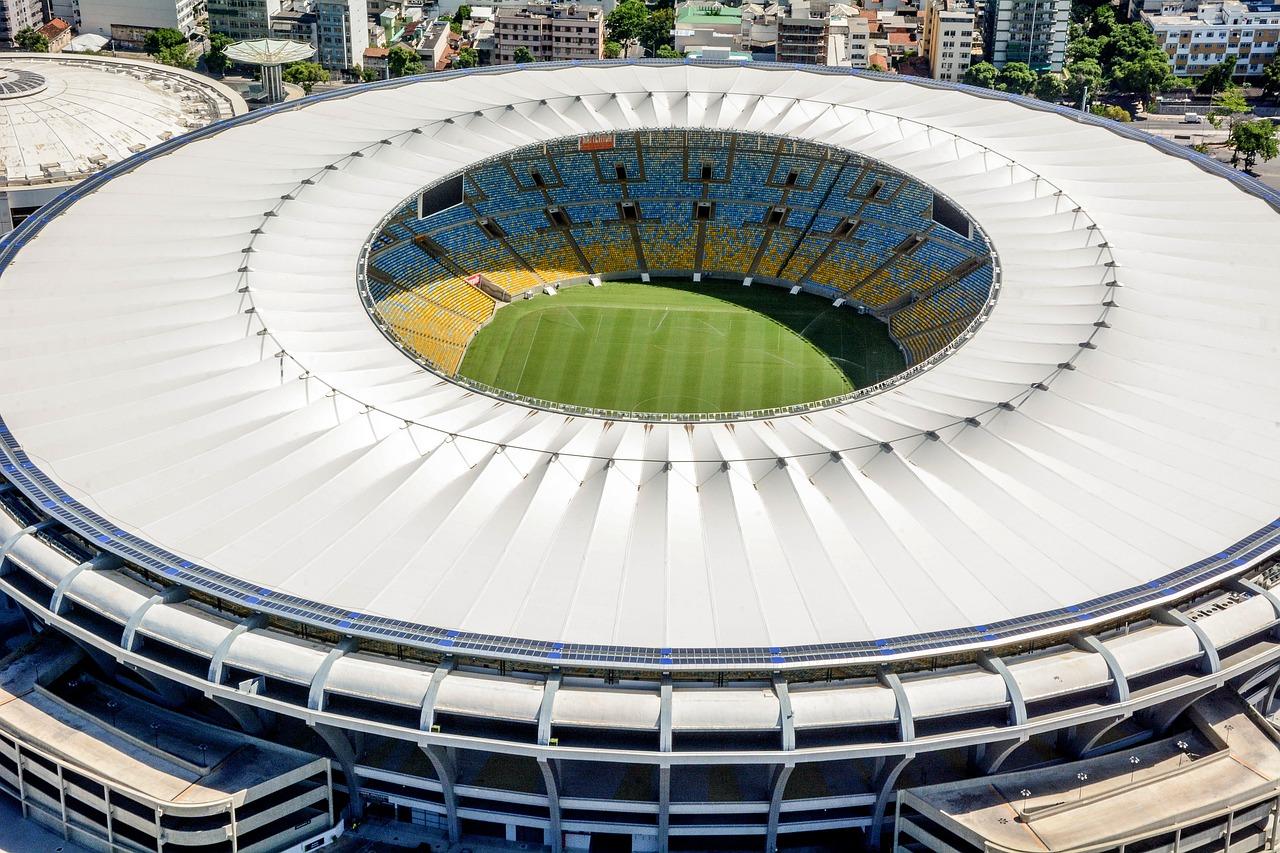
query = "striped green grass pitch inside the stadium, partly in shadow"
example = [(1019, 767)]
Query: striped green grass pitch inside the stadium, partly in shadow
[(679, 348)]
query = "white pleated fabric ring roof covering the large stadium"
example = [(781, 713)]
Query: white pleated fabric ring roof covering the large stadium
[(135, 378)]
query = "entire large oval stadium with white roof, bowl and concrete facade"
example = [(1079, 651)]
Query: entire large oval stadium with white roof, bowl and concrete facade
[(647, 457)]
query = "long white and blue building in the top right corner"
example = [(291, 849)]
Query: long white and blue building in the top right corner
[(1206, 38)]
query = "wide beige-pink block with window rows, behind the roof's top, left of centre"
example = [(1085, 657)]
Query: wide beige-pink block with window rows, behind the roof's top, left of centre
[(550, 33)]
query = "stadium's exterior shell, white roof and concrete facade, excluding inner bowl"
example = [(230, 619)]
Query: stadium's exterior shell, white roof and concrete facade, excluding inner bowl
[(1018, 597)]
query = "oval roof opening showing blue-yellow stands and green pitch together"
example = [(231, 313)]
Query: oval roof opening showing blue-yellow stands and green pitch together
[(678, 275)]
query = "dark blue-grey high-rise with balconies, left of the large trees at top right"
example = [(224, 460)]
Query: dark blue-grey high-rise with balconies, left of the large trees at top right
[(1027, 31)]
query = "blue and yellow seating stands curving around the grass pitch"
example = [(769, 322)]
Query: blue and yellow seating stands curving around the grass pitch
[(679, 203)]
